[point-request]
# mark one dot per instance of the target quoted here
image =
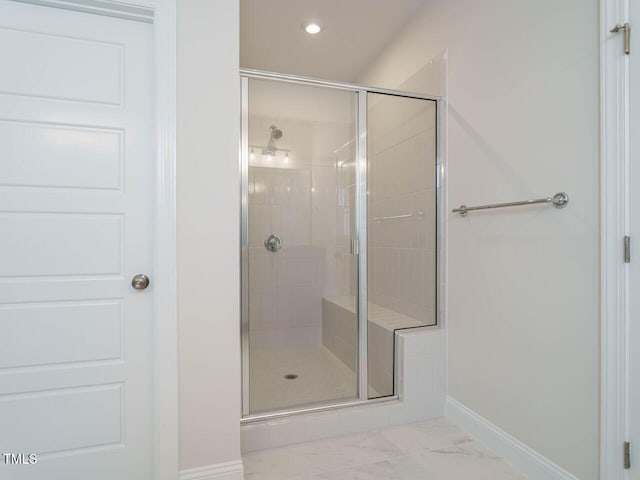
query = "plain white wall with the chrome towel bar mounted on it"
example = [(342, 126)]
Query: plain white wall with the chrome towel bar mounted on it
[(523, 321)]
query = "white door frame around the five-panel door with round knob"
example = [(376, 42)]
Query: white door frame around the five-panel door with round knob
[(162, 14)]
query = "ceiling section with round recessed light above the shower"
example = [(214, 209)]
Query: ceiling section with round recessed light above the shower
[(354, 33)]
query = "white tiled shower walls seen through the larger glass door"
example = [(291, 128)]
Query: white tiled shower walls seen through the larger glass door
[(305, 202)]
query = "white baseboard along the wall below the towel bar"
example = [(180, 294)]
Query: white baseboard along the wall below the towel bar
[(521, 456)]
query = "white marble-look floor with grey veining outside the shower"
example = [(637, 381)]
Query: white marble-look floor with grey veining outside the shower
[(432, 450)]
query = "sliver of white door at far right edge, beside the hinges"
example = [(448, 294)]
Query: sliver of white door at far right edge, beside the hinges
[(633, 318)]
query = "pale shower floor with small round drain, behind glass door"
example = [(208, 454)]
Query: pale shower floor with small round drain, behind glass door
[(321, 378)]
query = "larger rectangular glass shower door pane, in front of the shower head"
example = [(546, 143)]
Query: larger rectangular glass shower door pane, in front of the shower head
[(302, 328)]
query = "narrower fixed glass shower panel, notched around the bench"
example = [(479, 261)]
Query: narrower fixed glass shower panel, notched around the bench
[(401, 227)]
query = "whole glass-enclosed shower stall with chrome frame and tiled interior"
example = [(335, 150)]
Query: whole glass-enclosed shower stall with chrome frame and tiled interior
[(339, 232)]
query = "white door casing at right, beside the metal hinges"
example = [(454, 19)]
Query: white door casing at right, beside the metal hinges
[(614, 205)]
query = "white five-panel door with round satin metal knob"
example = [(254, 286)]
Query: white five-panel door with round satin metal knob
[(76, 209)]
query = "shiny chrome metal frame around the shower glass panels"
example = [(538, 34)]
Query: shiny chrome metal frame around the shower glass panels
[(360, 233)]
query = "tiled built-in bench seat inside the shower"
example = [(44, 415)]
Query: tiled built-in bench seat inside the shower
[(339, 334)]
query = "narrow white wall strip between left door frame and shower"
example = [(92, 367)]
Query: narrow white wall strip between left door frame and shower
[(208, 240)]
